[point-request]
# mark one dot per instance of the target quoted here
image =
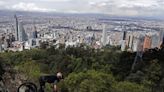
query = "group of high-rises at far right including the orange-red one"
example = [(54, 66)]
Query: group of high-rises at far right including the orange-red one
[(142, 42)]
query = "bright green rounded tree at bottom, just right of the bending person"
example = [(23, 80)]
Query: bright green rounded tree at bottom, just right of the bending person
[(90, 81)]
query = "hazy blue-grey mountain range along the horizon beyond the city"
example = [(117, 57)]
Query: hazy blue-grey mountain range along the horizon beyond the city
[(94, 15)]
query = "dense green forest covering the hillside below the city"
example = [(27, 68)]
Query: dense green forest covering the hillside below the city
[(88, 70)]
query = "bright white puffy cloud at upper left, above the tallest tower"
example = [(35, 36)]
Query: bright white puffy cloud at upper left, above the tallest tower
[(30, 7)]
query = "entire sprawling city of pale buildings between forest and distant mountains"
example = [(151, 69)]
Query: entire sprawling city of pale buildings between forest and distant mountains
[(129, 35)]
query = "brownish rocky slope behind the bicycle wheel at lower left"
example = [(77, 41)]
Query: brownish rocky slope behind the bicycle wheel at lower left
[(11, 80)]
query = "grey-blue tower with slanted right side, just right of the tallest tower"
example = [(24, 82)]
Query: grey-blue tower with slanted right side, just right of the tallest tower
[(22, 36)]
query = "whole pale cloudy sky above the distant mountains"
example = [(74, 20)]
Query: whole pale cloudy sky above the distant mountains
[(112, 7)]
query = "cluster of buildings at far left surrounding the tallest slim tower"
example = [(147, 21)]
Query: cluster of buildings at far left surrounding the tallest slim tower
[(18, 39)]
